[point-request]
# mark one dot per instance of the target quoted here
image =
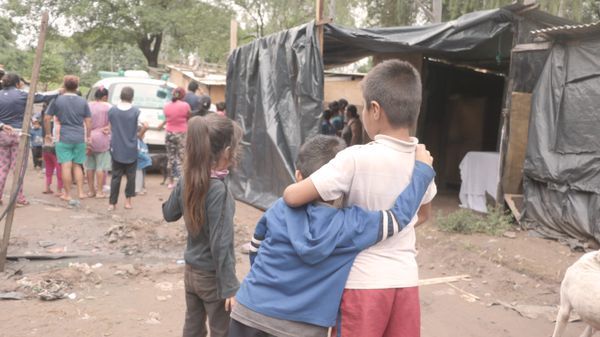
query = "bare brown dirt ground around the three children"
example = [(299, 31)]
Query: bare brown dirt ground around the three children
[(125, 276)]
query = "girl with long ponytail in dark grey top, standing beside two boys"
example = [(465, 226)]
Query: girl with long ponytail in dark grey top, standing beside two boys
[(207, 206)]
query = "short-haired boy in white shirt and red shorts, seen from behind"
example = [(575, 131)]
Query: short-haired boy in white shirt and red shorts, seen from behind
[(381, 298)]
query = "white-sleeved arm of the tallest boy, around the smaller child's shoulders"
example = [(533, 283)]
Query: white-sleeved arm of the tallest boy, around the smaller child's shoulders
[(329, 182)]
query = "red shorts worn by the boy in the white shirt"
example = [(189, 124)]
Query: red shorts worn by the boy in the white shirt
[(379, 313)]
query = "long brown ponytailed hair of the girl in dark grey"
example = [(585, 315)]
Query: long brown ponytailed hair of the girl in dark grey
[(207, 139)]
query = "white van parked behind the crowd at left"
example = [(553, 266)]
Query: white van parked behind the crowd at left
[(149, 95)]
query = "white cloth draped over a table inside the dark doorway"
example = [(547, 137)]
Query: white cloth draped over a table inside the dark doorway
[(479, 172)]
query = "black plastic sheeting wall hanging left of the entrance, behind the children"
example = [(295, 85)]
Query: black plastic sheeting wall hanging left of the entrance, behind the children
[(275, 91)]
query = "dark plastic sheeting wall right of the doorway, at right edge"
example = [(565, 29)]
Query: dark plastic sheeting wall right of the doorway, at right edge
[(562, 165)]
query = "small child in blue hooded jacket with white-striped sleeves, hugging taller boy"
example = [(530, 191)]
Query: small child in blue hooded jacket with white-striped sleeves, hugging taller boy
[(301, 256)]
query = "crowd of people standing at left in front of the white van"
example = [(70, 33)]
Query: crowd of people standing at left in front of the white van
[(72, 138)]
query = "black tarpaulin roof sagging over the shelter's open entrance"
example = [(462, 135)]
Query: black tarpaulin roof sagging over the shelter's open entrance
[(483, 36)]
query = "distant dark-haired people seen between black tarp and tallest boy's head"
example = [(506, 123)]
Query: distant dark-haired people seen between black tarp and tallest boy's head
[(341, 119)]
